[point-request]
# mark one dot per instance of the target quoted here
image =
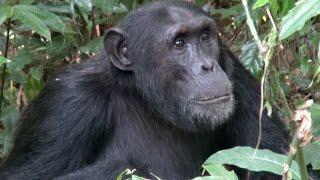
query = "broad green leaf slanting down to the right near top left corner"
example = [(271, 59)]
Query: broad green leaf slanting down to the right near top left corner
[(23, 13)]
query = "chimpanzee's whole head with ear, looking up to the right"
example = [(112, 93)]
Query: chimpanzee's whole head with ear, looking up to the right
[(173, 52)]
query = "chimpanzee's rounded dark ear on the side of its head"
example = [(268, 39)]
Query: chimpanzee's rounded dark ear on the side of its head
[(115, 46)]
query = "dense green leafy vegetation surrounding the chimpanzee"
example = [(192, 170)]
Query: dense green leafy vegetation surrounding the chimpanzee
[(278, 41)]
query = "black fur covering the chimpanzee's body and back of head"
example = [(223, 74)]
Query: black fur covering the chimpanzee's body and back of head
[(93, 120)]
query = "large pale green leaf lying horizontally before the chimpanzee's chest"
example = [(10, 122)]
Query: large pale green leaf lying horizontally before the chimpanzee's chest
[(254, 160)]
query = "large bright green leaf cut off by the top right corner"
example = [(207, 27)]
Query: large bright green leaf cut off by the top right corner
[(297, 17)]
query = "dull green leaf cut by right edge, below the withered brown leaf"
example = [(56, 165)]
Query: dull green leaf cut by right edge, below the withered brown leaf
[(311, 155)]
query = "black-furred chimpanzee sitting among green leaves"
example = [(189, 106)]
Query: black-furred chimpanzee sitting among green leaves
[(162, 97)]
